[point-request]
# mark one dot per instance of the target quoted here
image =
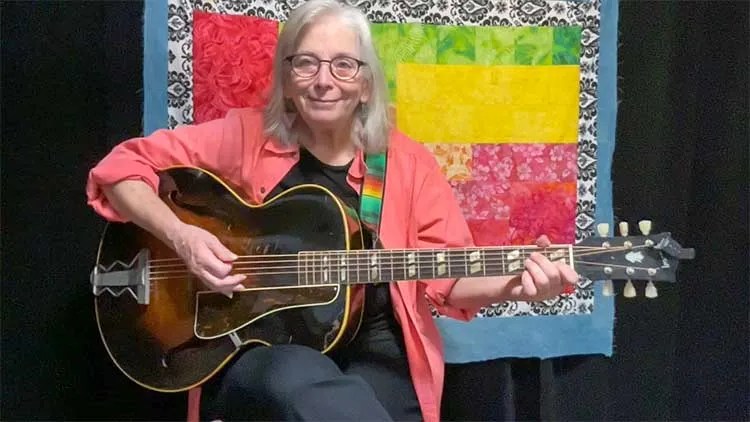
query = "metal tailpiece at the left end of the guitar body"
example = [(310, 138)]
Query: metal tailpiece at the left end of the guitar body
[(132, 278)]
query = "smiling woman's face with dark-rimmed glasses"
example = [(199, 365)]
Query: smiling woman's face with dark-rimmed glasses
[(324, 101)]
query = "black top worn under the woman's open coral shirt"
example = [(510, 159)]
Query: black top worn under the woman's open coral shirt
[(379, 322)]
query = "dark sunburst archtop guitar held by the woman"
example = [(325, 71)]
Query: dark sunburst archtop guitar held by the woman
[(307, 258)]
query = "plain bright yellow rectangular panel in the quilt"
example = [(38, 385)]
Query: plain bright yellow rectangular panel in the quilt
[(488, 104)]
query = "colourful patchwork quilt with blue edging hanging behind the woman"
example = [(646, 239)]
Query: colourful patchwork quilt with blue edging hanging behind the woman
[(516, 99)]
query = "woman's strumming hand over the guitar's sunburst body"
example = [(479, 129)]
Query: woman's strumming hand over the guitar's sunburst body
[(207, 258)]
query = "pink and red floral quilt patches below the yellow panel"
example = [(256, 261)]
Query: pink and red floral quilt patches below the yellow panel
[(518, 192)]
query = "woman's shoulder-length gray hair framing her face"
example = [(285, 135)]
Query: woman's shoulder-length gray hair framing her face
[(371, 125)]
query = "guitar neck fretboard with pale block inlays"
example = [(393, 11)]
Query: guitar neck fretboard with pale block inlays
[(378, 266)]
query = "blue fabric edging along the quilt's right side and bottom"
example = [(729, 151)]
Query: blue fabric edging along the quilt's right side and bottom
[(553, 336)]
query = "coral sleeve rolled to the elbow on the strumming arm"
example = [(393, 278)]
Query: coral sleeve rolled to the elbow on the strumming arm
[(203, 145)]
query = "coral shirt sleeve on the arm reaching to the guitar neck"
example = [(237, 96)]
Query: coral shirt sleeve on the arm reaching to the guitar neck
[(441, 224)]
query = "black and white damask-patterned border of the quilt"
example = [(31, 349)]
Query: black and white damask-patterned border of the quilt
[(583, 13)]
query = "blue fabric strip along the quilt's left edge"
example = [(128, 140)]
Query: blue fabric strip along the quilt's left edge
[(155, 66)]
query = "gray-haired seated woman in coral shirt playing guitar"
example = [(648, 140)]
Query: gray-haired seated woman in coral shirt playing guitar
[(328, 108)]
